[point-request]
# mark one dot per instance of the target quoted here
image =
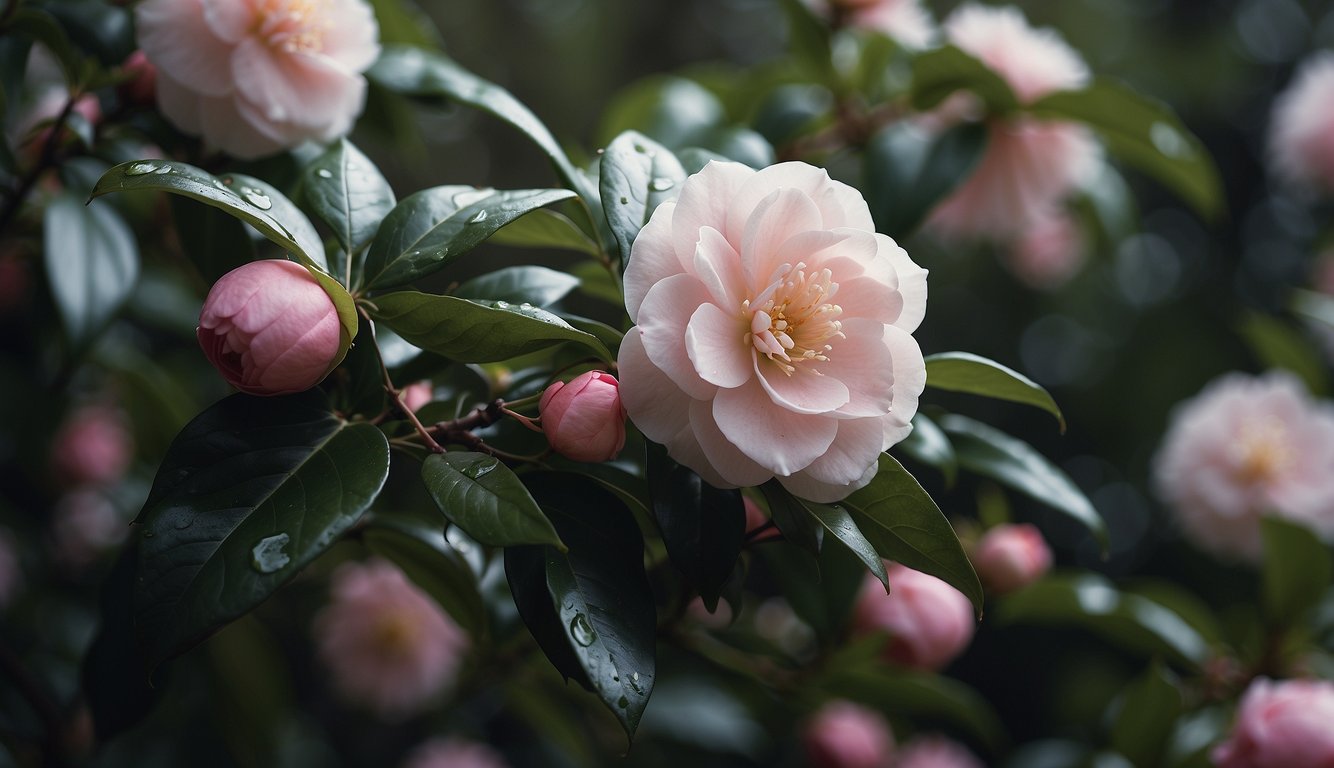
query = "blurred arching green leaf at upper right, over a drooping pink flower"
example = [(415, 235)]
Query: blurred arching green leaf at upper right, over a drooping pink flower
[(1145, 134)]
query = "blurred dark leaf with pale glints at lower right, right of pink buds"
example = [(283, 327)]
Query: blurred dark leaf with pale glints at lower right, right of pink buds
[(1091, 602)]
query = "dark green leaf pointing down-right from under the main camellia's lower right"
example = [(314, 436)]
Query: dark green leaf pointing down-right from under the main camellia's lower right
[(904, 525)]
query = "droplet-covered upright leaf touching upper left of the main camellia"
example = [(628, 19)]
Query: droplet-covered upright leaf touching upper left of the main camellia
[(637, 177)]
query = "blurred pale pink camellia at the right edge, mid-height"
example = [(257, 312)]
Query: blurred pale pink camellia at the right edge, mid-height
[(1243, 449)]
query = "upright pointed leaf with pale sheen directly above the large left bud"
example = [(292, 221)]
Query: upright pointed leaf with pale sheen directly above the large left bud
[(349, 194)]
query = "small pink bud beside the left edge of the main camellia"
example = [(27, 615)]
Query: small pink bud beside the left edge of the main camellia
[(585, 419)]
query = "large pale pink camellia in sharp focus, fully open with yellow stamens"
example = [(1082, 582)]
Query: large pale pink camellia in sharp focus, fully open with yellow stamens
[(773, 331)]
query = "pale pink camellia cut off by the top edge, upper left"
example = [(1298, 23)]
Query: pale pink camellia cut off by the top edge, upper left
[(257, 77)]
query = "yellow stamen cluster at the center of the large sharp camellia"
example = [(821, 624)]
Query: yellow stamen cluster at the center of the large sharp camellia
[(793, 319)]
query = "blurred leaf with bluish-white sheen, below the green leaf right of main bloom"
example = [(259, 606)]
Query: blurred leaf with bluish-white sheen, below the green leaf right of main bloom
[(1015, 463)]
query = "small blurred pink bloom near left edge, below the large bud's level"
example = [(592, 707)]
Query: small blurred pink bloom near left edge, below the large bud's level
[(93, 447)]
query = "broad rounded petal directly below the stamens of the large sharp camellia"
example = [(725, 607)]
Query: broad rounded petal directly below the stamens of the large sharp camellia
[(780, 439)]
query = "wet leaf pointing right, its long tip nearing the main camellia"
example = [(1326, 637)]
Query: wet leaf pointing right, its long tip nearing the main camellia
[(434, 227)]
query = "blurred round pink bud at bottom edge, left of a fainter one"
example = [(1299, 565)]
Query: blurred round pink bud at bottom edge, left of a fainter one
[(848, 735)]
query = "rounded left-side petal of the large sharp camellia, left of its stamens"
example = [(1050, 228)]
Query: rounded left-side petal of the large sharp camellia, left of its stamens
[(665, 315)]
